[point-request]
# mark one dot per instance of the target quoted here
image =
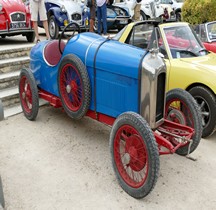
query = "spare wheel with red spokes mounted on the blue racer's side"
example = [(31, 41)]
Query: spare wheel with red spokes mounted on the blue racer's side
[(76, 99)]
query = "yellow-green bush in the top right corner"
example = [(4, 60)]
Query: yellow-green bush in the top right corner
[(199, 11)]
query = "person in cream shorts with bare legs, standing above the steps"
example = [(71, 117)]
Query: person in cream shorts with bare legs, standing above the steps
[(38, 7)]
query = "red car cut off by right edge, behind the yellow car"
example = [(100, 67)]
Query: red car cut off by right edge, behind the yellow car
[(207, 33)]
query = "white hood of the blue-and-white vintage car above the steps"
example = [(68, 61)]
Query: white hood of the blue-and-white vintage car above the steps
[(71, 6)]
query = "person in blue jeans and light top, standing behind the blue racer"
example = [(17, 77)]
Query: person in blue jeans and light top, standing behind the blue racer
[(102, 15)]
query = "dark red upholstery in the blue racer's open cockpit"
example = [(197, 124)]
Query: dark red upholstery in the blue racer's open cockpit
[(51, 52)]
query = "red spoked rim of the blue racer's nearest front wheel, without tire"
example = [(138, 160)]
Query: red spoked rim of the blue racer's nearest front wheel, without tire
[(131, 156)]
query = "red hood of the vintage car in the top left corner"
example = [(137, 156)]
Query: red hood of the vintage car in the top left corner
[(13, 6)]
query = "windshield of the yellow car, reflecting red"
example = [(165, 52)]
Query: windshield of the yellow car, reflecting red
[(183, 42)]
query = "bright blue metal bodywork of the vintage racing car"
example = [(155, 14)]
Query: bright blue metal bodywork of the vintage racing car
[(116, 78)]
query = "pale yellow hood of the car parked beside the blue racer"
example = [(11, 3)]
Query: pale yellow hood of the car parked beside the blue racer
[(207, 62)]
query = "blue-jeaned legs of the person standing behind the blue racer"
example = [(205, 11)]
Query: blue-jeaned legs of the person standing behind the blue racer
[(102, 14)]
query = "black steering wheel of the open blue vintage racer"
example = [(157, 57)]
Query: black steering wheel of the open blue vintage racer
[(72, 25)]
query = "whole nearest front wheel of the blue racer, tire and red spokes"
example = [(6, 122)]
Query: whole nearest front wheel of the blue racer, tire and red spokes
[(133, 132)]
